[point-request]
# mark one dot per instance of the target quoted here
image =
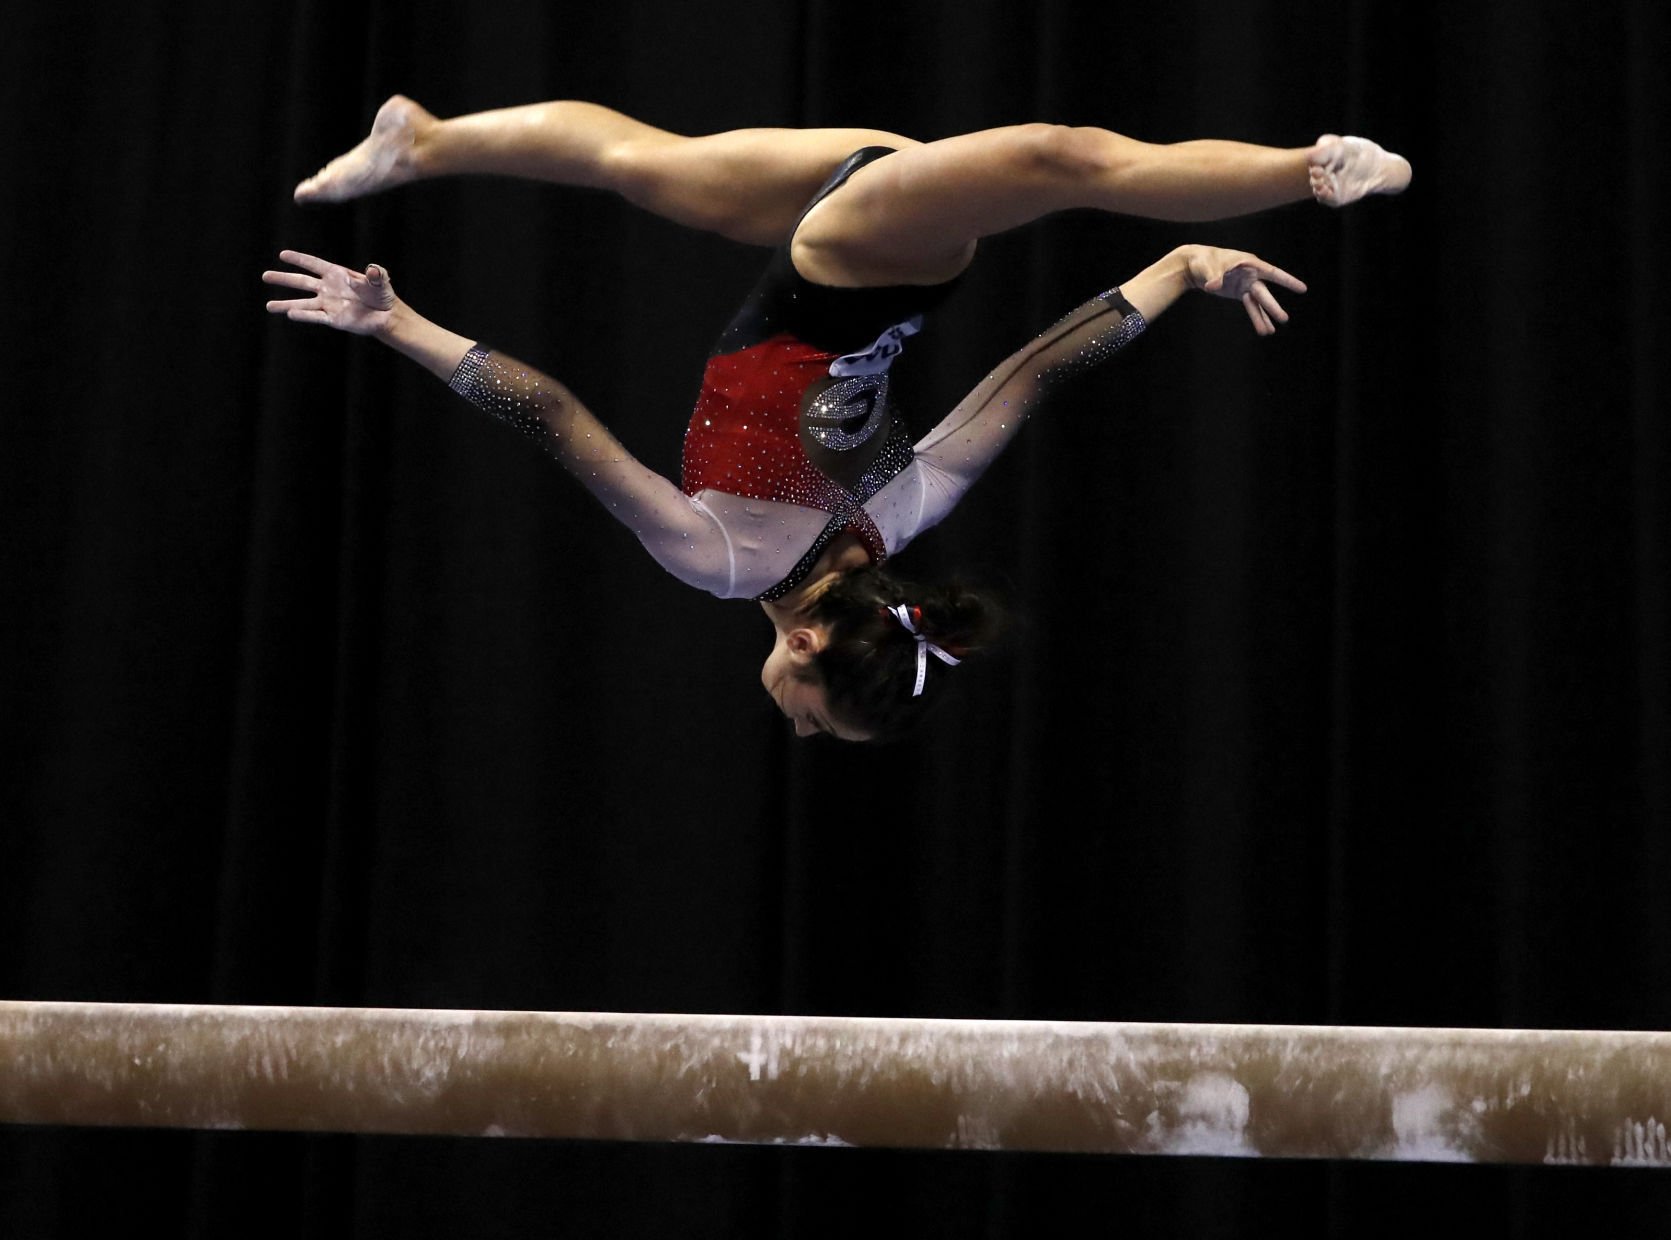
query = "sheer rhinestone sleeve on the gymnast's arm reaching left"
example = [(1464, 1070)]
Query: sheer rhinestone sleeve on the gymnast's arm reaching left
[(681, 534)]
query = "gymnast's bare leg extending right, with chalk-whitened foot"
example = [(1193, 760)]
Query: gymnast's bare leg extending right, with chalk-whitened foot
[(915, 218)]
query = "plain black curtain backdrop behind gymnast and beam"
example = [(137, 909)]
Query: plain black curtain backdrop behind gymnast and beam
[(1341, 693)]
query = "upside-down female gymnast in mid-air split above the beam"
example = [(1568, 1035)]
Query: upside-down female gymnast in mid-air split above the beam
[(800, 479)]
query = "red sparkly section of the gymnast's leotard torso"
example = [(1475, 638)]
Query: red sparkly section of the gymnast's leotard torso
[(744, 437)]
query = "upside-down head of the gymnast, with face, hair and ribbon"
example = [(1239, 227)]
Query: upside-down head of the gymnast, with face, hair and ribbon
[(868, 656)]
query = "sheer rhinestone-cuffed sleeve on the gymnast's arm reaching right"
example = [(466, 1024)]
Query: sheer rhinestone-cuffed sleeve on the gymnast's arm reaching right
[(968, 440)]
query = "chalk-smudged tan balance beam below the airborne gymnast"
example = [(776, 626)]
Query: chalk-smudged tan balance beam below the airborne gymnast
[(1237, 1090)]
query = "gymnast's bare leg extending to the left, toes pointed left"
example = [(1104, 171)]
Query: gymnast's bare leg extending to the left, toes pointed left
[(748, 185)]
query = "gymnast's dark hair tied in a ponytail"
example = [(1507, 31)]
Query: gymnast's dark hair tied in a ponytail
[(870, 664)]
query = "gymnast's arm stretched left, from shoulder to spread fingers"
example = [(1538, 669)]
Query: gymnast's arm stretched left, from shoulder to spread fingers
[(676, 531)]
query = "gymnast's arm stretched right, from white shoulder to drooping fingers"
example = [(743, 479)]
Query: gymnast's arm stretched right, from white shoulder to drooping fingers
[(968, 440)]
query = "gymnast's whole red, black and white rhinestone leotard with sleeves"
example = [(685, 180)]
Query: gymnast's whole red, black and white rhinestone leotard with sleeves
[(795, 440)]
